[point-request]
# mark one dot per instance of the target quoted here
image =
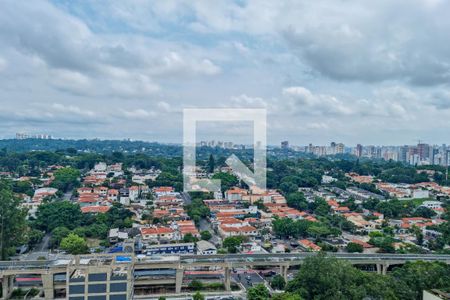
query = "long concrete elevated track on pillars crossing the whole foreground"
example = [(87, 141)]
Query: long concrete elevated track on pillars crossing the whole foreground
[(178, 264)]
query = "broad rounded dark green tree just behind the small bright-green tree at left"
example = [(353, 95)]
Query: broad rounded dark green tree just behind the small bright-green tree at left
[(56, 214)]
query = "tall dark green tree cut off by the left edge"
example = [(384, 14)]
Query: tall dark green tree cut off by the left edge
[(12, 220)]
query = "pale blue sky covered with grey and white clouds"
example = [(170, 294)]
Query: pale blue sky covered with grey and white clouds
[(371, 72)]
